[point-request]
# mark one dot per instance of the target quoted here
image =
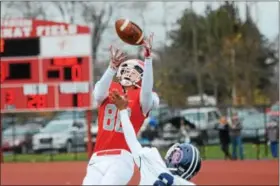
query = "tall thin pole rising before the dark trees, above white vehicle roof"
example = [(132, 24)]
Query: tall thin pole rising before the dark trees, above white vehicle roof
[(195, 57)]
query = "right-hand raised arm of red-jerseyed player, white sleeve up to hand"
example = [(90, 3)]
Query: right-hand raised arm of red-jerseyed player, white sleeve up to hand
[(148, 99)]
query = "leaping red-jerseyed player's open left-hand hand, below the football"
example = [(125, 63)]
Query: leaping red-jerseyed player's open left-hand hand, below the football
[(116, 57)]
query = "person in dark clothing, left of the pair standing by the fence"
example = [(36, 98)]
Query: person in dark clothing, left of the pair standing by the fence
[(224, 136)]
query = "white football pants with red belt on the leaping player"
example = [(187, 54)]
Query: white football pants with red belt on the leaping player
[(112, 167)]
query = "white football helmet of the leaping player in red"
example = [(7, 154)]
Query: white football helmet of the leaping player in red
[(130, 72)]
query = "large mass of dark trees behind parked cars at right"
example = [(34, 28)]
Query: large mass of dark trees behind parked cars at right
[(231, 57)]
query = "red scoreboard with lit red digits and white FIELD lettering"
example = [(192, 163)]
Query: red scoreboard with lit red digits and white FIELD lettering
[(45, 66)]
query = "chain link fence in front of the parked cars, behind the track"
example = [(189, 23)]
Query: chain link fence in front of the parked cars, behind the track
[(63, 136)]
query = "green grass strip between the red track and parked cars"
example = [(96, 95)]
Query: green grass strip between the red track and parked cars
[(208, 152)]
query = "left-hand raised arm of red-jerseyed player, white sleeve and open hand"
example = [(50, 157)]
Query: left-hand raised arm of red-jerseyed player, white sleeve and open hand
[(101, 89)]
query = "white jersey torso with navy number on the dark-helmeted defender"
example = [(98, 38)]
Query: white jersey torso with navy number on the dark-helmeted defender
[(154, 171)]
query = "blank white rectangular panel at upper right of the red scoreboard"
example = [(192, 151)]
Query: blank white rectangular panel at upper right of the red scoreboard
[(65, 45)]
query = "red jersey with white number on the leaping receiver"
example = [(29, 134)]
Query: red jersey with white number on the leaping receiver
[(110, 135)]
